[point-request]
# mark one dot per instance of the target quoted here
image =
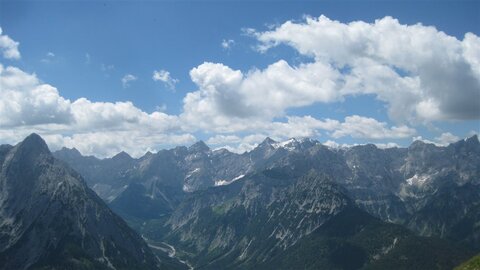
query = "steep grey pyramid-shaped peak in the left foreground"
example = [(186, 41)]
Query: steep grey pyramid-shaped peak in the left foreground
[(49, 218)]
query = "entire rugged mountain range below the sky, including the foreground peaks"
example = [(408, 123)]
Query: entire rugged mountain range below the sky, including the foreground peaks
[(283, 205)]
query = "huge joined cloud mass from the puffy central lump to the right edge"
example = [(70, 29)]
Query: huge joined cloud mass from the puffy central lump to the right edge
[(431, 77)]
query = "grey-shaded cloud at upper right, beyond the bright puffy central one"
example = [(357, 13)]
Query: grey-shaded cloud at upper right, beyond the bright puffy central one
[(422, 74)]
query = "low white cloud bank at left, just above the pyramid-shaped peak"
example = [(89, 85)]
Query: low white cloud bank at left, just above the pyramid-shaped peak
[(99, 128)]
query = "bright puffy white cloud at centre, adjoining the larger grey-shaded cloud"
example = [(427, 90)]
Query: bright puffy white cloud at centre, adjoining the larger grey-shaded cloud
[(227, 95)]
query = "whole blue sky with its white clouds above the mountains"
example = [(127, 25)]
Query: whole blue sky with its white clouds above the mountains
[(137, 76)]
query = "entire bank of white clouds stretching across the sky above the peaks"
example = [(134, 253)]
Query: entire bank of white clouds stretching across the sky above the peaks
[(422, 75)]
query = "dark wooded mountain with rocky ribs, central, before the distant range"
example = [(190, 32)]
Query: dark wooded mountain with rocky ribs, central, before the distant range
[(271, 220)]
